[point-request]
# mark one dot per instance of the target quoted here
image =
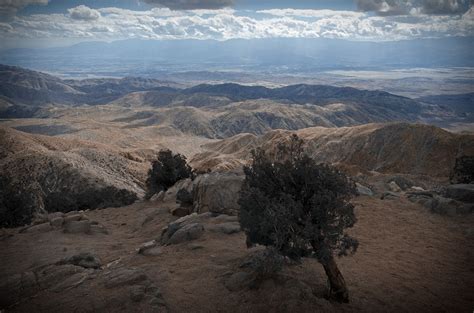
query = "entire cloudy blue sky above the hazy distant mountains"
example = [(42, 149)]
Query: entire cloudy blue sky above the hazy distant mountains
[(43, 23)]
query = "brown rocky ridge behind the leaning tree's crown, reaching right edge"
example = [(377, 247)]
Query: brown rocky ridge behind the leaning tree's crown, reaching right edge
[(390, 148)]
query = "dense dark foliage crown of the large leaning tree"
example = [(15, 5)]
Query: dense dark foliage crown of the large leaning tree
[(296, 205)]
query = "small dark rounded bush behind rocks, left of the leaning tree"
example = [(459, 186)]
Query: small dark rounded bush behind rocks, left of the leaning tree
[(166, 171)]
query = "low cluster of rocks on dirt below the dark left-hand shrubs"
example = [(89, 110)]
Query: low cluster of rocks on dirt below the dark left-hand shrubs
[(74, 222)]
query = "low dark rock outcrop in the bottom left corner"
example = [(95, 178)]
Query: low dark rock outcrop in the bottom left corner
[(76, 274)]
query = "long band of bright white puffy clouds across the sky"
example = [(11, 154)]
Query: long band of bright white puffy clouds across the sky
[(163, 23)]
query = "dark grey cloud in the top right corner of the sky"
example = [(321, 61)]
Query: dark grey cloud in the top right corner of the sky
[(405, 7)]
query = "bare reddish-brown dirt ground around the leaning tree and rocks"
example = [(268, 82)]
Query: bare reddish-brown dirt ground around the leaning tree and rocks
[(409, 260)]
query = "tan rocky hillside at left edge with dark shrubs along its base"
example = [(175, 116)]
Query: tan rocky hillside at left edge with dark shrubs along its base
[(42, 173)]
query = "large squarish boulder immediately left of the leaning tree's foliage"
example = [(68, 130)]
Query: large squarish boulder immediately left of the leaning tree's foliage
[(217, 192)]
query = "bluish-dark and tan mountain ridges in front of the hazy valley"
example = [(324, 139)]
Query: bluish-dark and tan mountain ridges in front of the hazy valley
[(216, 111)]
